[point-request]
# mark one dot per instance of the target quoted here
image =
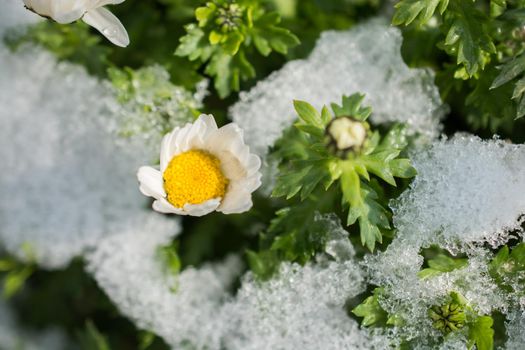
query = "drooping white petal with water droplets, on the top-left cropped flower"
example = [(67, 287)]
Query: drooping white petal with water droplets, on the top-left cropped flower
[(108, 24)]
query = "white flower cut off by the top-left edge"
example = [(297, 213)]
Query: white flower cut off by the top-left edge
[(91, 11)]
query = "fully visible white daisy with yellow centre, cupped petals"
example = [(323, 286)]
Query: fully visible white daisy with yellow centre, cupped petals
[(202, 168)]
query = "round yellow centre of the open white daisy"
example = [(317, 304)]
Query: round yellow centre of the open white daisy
[(194, 177)]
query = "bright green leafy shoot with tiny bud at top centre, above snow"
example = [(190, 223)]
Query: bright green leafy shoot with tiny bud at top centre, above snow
[(226, 36)]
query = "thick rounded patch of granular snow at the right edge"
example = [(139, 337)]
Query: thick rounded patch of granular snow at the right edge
[(467, 190)]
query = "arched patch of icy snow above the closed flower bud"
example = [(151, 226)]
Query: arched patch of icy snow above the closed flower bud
[(365, 59)]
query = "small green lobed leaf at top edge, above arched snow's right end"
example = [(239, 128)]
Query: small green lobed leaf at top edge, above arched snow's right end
[(409, 10)]
